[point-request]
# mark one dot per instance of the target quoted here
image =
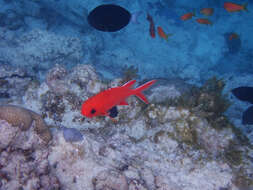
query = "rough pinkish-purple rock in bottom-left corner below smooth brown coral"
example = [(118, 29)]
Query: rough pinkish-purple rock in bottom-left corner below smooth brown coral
[(23, 158)]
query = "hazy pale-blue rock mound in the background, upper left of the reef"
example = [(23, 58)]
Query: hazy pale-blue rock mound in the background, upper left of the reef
[(39, 50)]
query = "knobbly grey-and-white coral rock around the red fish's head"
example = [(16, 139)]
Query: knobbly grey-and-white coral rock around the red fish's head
[(63, 94)]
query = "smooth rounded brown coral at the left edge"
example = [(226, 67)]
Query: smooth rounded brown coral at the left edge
[(23, 118)]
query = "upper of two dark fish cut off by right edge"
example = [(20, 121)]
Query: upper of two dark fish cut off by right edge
[(244, 93)]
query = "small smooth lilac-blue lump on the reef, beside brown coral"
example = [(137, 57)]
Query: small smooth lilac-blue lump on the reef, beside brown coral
[(71, 134)]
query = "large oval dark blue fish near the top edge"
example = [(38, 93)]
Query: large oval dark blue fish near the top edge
[(109, 18)]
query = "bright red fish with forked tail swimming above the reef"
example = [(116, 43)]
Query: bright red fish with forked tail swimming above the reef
[(101, 103)]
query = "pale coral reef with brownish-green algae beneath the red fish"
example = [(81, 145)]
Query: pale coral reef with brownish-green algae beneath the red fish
[(180, 142)]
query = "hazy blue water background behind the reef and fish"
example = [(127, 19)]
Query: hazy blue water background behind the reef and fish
[(194, 53)]
